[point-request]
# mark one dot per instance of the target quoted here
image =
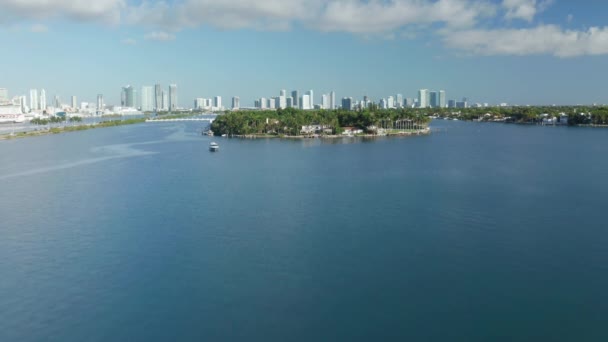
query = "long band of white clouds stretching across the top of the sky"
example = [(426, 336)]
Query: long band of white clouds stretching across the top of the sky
[(469, 26)]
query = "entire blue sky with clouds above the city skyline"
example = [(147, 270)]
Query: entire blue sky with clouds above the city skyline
[(527, 52)]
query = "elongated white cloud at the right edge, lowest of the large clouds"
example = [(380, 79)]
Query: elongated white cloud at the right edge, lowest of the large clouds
[(540, 40)]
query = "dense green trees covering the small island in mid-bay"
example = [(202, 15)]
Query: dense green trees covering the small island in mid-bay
[(290, 121)]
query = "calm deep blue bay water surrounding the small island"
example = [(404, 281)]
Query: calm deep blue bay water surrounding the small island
[(481, 232)]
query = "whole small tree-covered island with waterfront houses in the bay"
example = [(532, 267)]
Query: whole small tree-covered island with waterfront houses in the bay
[(297, 123)]
